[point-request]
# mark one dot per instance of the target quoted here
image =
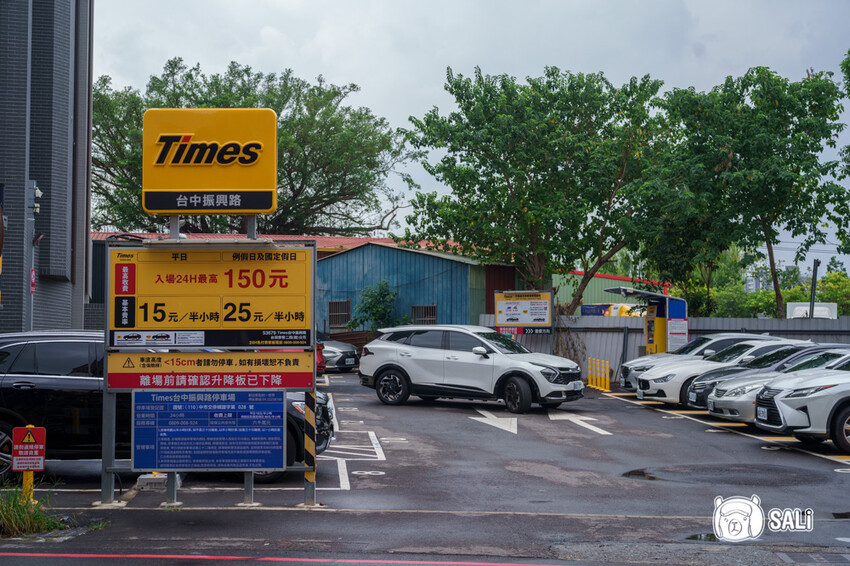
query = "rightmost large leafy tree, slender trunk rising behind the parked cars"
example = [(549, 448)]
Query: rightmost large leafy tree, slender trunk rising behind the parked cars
[(768, 156)]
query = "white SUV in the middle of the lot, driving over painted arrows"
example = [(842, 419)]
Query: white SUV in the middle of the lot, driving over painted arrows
[(466, 362)]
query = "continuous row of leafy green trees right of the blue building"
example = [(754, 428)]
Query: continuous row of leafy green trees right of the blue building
[(563, 171)]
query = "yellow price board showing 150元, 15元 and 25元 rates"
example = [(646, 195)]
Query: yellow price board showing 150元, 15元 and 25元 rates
[(214, 298)]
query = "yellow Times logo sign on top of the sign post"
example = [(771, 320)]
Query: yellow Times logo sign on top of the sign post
[(209, 161)]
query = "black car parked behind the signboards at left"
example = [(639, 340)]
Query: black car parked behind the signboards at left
[(55, 380)]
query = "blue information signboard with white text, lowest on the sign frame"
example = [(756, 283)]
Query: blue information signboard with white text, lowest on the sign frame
[(209, 431)]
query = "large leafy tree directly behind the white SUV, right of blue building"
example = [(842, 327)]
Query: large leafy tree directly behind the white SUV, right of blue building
[(541, 173)]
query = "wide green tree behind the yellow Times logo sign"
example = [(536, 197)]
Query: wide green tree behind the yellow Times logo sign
[(335, 162)]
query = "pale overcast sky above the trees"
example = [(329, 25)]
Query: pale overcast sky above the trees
[(398, 52)]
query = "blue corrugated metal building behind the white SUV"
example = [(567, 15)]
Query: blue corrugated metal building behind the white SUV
[(451, 288)]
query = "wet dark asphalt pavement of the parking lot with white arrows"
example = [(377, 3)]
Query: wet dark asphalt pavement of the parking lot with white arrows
[(602, 480)]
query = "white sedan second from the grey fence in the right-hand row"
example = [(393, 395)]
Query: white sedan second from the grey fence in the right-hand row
[(669, 383)]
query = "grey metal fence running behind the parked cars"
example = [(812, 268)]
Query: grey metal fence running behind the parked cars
[(618, 339)]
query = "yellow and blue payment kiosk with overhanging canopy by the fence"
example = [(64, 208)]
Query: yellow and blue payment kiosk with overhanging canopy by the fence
[(666, 321)]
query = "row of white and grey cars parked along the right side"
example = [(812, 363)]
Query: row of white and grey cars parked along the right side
[(789, 386)]
